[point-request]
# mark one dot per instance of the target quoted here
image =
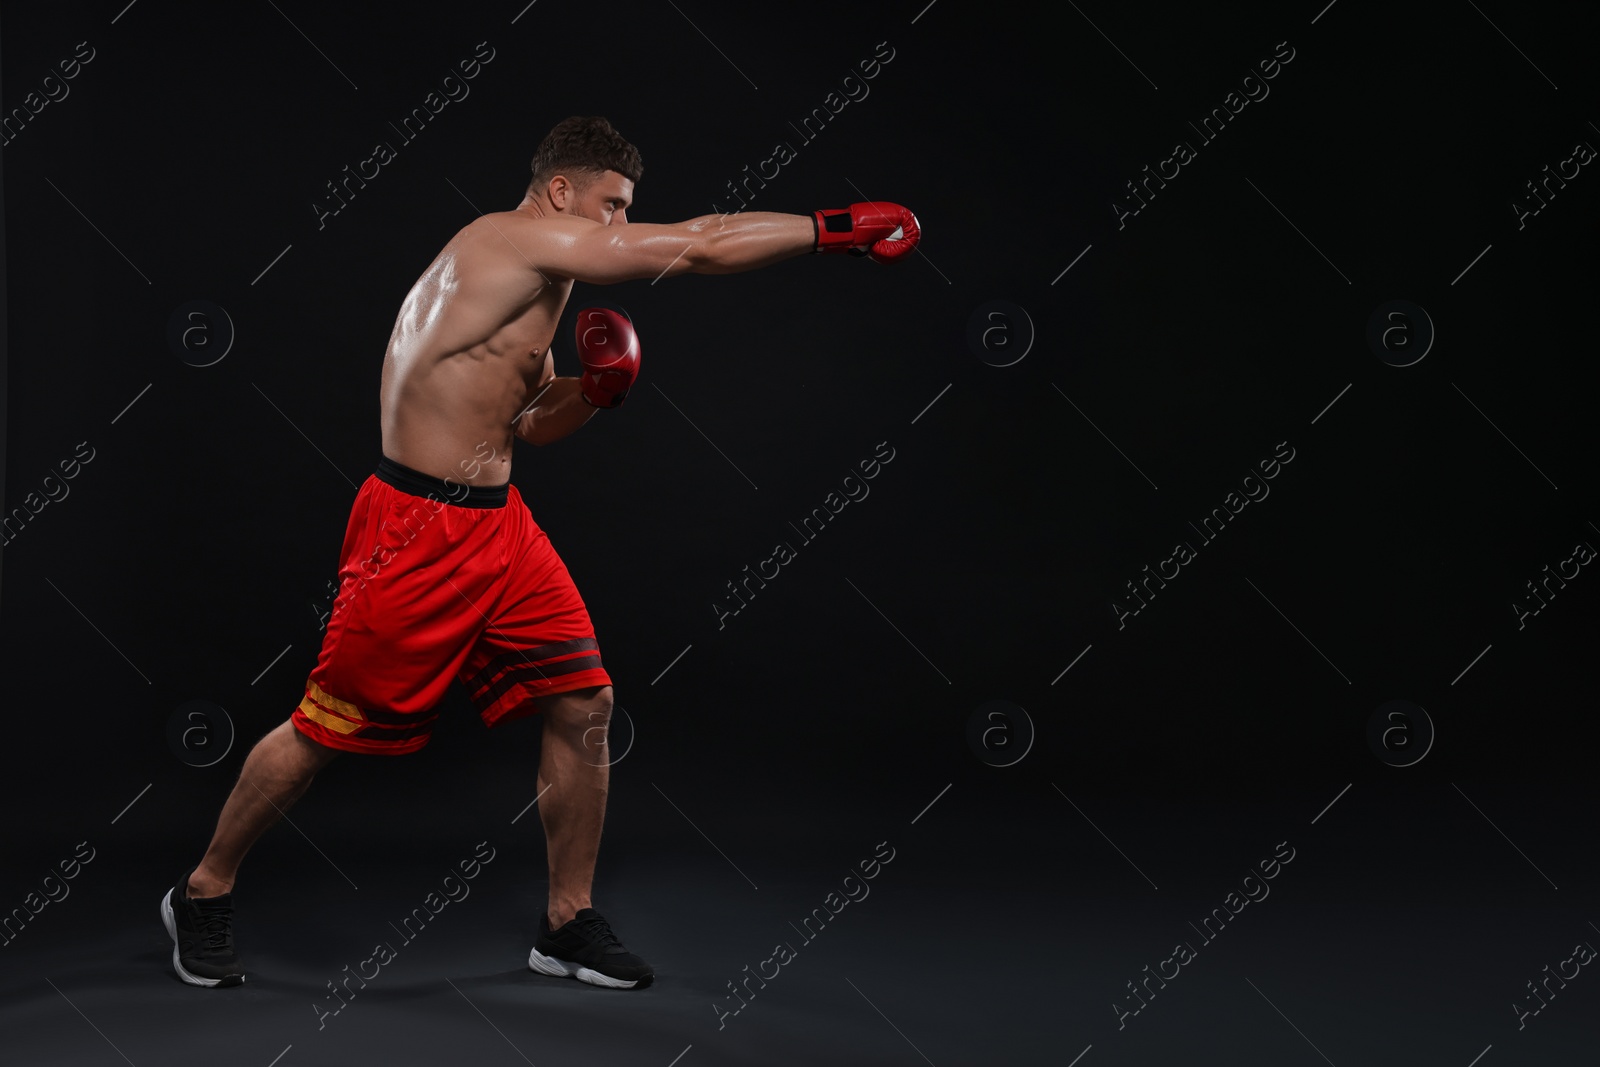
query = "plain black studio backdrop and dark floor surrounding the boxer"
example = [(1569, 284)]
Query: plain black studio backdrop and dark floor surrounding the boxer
[(1177, 353)]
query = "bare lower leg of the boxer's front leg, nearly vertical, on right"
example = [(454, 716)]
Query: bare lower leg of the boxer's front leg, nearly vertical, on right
[(575, 772)]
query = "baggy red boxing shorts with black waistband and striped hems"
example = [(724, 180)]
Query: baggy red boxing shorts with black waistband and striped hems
[(441, 581)]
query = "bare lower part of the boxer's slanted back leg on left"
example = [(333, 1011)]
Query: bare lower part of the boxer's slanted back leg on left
[(274, 777)]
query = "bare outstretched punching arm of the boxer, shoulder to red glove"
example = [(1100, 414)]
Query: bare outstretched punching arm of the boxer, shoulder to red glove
[(711, 244)]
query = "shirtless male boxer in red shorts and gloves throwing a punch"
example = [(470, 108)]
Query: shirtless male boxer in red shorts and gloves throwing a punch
[(444, 573)]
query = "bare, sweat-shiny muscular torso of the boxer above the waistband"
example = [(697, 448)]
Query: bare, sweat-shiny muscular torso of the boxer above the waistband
[(468, 354)]
